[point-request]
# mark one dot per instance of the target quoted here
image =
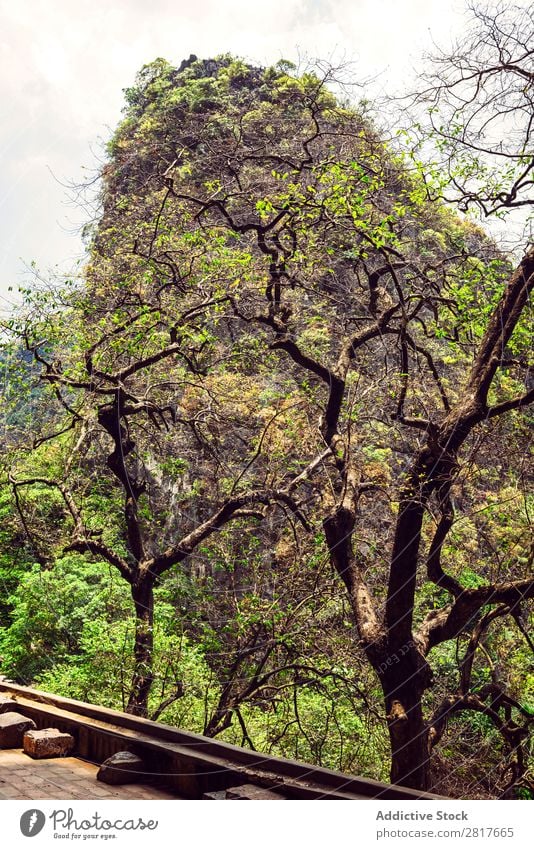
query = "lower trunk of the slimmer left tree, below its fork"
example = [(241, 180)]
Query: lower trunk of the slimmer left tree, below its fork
[(143, 598)]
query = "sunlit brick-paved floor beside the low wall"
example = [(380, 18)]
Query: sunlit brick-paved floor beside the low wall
[(22, 777)]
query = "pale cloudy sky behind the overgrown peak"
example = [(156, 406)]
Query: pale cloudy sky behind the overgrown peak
[(64, 64)]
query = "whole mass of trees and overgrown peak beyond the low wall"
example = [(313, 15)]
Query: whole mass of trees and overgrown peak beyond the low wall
[(265, 469)]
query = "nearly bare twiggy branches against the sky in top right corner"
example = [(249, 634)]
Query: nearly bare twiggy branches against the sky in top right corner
[(480, 96)]
